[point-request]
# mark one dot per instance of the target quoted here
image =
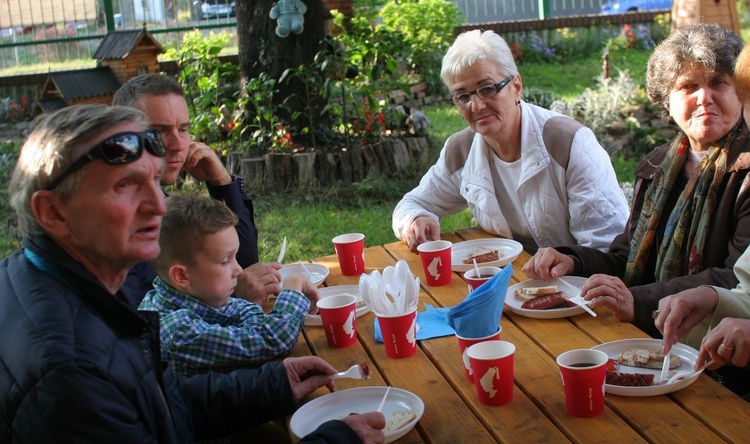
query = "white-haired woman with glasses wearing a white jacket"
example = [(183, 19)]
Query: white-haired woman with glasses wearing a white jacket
[(526, 173)]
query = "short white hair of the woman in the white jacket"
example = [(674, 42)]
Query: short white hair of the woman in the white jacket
[(475, 45)]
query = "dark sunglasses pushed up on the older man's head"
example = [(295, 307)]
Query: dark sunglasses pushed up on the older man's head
[(116, 150)]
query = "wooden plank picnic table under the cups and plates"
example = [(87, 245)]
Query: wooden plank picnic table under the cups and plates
[(704, 411)]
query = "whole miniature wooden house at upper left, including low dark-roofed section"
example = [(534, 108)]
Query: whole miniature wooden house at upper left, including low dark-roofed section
[(121, 56)]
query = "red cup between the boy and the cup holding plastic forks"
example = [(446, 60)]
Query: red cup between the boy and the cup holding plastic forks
[(338, 315)]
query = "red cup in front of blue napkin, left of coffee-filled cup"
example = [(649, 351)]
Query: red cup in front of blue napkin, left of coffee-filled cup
[(492, 362)]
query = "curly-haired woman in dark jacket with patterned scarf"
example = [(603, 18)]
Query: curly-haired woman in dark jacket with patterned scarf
[(690, 217)]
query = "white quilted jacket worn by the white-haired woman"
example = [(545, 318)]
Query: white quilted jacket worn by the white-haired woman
[(582, 204)]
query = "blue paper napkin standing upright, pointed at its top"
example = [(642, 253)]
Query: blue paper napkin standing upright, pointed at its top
[(479, 314)]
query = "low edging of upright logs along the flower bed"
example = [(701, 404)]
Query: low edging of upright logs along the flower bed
[(285, 171)]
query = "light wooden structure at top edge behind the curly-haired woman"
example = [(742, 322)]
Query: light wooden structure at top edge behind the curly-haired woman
[(692, 12)]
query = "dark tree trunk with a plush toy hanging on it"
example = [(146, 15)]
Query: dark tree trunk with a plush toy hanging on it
[(261, 50)]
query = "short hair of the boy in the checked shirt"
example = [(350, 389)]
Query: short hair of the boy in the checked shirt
[(189, 219)]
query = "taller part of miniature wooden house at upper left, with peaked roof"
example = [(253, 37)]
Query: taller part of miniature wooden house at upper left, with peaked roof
[(129, 53)]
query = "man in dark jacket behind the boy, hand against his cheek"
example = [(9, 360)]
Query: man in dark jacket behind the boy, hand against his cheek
[(163, 101)]
